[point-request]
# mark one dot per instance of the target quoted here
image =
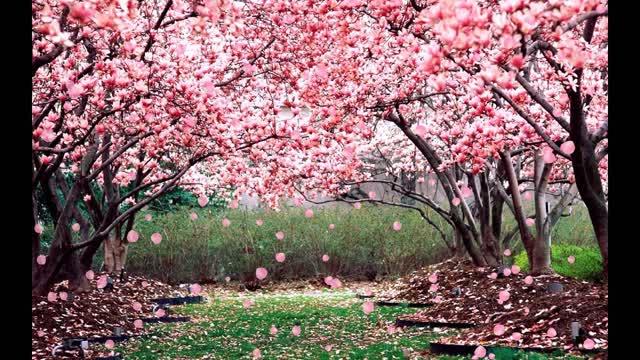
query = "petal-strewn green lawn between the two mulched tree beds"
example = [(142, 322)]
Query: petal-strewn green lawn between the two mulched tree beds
[(223, 329)]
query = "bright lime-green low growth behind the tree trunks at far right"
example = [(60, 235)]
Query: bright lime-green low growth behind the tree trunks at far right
[(588, 264)]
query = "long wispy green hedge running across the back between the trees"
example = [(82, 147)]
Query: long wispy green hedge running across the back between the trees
[(362, 245)]
